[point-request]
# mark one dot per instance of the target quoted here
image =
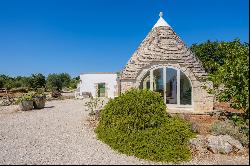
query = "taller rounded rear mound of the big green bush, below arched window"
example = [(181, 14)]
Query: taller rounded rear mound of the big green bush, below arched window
[(135, 110)]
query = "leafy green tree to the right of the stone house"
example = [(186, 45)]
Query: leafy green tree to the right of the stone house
[(227, 64)]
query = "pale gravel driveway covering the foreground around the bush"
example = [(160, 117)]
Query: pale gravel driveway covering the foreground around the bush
[(59, 134)]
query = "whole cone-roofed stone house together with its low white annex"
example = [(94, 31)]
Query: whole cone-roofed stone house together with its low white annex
[(162, 63)]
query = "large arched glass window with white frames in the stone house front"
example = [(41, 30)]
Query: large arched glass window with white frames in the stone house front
[(172, 84)]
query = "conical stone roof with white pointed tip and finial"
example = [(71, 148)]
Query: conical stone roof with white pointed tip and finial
[(161, 46)]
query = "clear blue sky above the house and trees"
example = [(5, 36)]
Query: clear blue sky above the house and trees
[(75, 36)]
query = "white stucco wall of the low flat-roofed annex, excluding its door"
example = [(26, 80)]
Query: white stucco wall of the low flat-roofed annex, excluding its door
[(88, 82)]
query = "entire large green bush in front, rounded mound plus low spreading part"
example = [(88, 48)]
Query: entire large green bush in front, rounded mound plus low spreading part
[(136, 123)]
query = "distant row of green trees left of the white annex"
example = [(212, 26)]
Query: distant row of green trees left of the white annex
[(35, 81)]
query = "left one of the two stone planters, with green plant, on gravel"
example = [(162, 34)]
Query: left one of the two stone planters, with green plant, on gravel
[(25, 102)]
